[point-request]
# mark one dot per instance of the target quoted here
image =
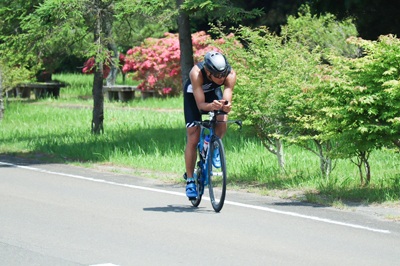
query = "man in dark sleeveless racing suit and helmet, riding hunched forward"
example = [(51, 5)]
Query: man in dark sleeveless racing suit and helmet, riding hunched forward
[(203, 92)]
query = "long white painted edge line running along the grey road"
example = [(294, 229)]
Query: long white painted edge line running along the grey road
[(315, 218)]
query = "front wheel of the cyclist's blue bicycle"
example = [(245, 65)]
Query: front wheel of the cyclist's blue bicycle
[(217, 175)]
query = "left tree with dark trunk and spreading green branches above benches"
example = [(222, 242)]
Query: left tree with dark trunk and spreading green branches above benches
[(49, 23)]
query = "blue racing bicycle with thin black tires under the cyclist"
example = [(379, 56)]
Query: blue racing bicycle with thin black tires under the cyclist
[(207, 172)]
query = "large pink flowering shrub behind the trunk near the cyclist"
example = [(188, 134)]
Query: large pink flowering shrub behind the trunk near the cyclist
[(156, 63)]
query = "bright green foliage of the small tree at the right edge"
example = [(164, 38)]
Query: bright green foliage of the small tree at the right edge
[(364, 99)]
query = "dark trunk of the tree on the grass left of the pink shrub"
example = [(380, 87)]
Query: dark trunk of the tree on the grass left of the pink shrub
[(98, 97)]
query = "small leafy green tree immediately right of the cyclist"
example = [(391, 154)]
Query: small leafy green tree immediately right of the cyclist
[(272, 70)]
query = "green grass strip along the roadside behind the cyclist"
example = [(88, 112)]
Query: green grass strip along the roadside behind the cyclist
[(141, 136)]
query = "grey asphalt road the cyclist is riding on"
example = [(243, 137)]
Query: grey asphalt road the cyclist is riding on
[(55, 214)]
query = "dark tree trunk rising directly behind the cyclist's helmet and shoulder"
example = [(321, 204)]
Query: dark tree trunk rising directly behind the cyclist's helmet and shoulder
[(185, 42)]
